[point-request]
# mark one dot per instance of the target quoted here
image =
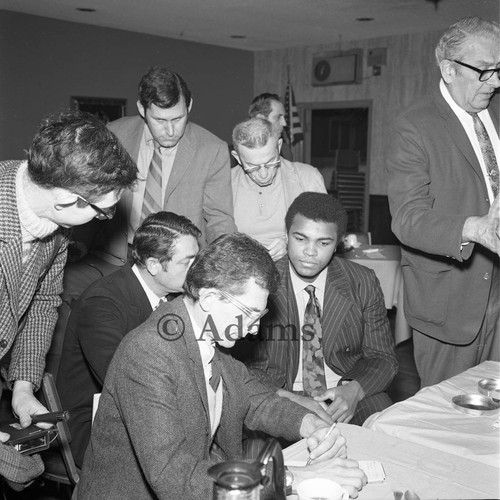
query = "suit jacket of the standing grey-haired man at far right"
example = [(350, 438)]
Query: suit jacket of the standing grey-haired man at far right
[(435, 184)]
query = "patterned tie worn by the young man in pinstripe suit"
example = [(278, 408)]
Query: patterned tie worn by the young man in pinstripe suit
[(313, 366)]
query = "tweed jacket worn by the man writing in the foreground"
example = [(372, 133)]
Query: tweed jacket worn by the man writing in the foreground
[(151, 436)]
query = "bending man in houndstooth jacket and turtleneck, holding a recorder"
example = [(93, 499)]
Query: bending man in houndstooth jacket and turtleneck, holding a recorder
[(76, 170)]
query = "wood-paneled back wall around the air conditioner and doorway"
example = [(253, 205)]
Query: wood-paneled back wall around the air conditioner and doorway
[(410, 73)]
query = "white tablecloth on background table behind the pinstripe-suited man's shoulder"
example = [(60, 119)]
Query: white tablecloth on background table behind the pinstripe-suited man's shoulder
[(385, 260)]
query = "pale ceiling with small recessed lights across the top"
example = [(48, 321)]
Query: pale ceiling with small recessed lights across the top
[(263, 24)]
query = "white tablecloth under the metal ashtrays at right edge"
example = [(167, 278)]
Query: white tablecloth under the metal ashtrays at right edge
[(429, 418)]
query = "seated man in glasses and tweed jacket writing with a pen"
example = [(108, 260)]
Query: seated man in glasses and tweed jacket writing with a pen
[(174, 403)]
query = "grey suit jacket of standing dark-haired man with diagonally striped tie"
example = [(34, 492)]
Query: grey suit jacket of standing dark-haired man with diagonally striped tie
[(199, 188)]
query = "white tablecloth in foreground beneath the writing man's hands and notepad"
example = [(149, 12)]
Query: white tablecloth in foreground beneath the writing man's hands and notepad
[(428, 472)]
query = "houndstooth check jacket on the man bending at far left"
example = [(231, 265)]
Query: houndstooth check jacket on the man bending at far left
[(18, 287)]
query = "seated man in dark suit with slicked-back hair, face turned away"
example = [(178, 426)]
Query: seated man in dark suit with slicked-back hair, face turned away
[(164, 247)]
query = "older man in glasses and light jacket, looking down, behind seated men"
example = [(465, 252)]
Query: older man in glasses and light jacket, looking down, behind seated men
[(265, 184)]
